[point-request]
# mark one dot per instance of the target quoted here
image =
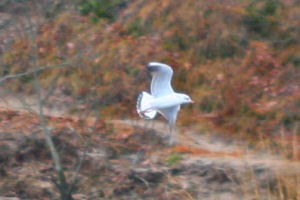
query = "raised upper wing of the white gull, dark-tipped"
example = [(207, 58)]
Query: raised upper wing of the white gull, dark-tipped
[(161, 79)]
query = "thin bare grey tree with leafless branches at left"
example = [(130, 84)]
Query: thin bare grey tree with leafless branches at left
[(65, 188)]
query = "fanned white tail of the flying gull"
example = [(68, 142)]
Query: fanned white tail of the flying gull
[(143, 106)]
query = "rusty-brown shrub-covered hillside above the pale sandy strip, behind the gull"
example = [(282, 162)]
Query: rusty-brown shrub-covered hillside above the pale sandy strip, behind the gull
[(238, 60)]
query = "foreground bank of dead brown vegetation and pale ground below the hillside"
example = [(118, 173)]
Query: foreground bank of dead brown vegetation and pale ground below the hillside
[(124, 161)]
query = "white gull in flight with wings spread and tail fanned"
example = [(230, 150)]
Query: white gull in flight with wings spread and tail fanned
[(162, 99)]
